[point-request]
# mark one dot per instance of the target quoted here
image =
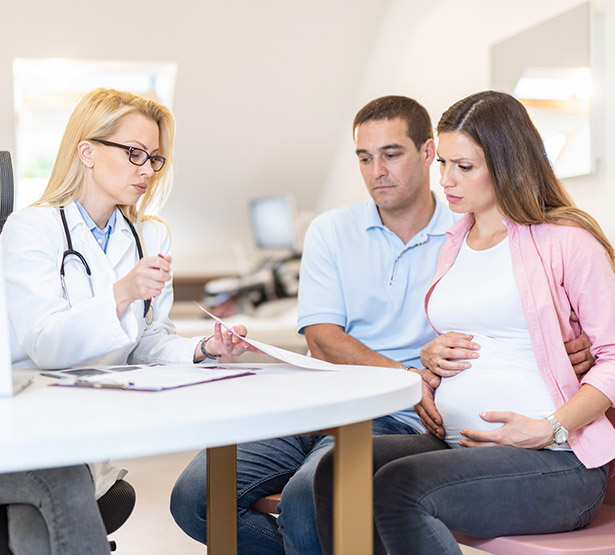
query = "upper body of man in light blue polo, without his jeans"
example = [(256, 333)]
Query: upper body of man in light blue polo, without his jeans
[(366, 267)]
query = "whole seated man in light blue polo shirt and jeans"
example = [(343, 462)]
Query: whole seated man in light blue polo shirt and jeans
[(365, 270)]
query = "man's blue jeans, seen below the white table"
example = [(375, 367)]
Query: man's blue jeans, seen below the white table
[(284, 465)]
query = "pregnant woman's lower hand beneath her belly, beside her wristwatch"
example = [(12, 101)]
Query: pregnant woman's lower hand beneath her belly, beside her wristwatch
[(517, 431)]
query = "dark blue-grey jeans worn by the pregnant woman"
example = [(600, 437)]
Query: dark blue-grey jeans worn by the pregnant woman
[(423, 489)]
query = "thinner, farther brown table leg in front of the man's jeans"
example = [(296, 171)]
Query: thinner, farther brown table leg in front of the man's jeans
[(222, 500)]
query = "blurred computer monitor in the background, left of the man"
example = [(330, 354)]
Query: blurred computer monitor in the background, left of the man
[(273, 222)]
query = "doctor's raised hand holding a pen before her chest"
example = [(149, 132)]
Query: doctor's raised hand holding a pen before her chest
[(145, 281)]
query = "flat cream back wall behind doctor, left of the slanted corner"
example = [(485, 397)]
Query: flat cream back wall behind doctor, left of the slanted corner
[(262, 89)]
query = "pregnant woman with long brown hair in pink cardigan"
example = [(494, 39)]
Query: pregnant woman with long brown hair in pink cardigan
[(527, 445)]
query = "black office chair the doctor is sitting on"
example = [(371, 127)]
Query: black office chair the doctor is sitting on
[(117, 504)]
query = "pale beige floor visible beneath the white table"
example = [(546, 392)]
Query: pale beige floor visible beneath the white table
[(151, 529)]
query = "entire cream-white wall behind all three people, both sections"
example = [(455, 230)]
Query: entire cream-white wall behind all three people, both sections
[(266, 91)]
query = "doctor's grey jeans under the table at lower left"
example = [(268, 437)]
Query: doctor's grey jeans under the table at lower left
[(53, 512)]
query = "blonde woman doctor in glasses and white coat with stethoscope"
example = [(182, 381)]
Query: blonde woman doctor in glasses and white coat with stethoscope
[(88, 273)]
